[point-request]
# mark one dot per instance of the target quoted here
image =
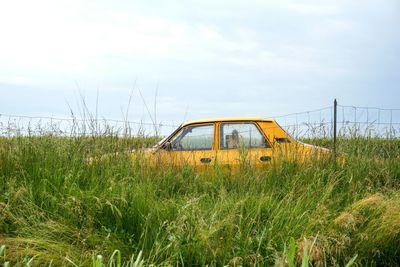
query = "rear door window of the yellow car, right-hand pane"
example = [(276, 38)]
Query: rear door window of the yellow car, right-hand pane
[(241, 135)]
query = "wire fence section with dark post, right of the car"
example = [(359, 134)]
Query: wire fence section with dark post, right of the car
[(351, 121)]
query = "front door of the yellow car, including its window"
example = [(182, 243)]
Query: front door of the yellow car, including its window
[(192, 145)]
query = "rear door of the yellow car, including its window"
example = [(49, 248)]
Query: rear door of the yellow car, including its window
[(242, 143)]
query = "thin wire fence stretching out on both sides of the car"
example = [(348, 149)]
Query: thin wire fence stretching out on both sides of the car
[(351, 121)]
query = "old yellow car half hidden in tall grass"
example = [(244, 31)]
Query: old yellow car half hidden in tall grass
[(230, 142)]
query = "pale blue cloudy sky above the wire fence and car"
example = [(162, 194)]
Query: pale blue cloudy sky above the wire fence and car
[(181, 60)]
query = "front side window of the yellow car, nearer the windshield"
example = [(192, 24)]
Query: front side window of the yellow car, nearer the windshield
[(194, 138)]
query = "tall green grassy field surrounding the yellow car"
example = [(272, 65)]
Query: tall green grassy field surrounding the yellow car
[(55, 209)]
